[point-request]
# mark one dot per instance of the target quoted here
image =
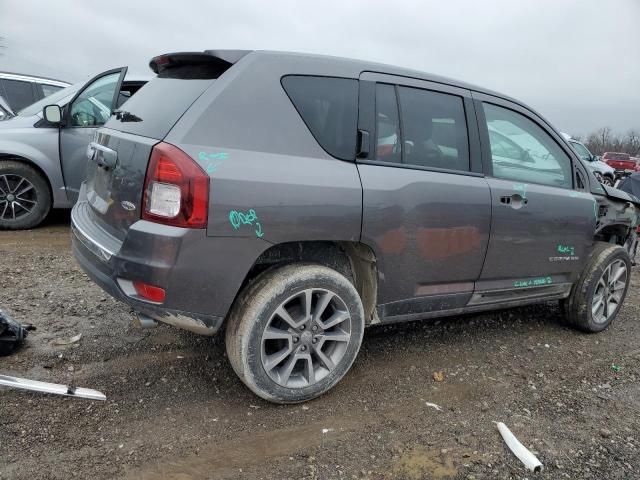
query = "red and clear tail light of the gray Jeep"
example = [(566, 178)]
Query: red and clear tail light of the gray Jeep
[(176, 189)]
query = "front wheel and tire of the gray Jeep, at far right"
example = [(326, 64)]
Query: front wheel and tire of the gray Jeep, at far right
[(598, 294)]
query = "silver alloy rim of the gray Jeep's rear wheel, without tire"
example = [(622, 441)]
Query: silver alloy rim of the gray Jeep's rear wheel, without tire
[(306, 338)]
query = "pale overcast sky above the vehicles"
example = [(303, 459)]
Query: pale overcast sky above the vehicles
[(575, 61)]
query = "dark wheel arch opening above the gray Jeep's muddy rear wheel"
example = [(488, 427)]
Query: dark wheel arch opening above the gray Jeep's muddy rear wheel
[(354, 260)]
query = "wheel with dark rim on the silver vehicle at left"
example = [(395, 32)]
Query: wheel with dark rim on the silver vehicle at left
[(25, 196)]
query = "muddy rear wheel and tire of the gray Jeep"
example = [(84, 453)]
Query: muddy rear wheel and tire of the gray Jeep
[(294, 332)]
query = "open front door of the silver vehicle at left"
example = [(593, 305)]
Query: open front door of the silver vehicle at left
[(89, 109)]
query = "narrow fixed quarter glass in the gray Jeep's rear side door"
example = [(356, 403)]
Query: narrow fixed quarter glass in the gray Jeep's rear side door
[(388, 148)]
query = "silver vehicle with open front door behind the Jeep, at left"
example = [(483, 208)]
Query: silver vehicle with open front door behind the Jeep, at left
[(42, 163)]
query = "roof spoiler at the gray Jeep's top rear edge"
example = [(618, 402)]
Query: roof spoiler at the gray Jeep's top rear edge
[(195, 65)]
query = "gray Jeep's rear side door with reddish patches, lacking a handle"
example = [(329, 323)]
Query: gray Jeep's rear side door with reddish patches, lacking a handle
[(426, 205)]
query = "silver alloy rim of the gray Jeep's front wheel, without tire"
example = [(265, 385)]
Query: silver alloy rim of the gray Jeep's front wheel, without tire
[(609, 291)]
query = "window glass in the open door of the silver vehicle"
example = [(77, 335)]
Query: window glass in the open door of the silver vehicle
[(93, 106)]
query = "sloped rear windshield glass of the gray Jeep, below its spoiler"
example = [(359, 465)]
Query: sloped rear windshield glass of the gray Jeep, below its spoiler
[(156, 107)]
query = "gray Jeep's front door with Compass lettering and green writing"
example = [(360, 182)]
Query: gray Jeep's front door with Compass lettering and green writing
[(543, 219)]
